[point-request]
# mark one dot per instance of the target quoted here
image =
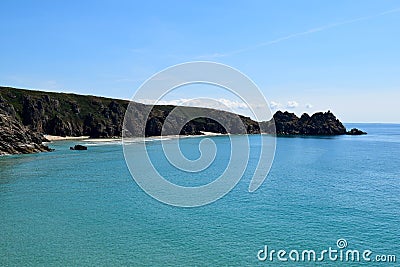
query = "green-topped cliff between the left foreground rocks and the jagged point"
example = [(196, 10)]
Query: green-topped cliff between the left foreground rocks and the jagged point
[(76, 115)]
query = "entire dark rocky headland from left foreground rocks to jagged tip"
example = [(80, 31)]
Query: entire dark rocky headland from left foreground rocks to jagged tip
[(26, 116)]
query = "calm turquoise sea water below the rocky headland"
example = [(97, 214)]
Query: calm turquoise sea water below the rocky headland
[(82, 208)]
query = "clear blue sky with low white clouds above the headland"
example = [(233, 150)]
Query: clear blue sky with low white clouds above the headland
[(305, 56)]
